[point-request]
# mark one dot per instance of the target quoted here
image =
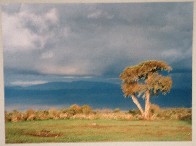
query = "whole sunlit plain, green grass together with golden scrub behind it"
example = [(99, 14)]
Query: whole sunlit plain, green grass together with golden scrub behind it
[(83, 124)]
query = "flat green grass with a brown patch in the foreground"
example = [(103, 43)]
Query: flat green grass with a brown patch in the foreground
[(100, 130)]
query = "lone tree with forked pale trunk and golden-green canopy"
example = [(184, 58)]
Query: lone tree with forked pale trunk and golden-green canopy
[(145, 79)]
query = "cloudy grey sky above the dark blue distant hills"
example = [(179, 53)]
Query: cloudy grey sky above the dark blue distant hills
[(95, 42)]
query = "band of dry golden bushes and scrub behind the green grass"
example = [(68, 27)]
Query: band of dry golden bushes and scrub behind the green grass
[(86, 112)]
